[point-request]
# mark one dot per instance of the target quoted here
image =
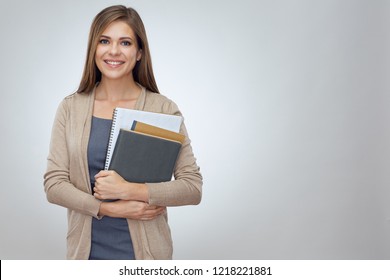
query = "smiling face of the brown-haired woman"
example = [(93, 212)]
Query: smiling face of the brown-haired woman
[(117, 51)]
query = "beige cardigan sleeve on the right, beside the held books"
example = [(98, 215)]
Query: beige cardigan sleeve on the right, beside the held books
[(186, 189)]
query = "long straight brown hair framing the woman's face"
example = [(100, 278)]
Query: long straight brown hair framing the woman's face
[(142, 72)]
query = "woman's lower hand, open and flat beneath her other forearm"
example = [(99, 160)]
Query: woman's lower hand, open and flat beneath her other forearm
[(130, 209)]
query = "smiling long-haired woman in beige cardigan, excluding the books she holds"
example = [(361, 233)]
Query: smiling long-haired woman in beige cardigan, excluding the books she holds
[(117, 73)]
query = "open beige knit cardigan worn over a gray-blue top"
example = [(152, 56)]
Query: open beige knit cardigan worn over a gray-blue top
[(67, 183)]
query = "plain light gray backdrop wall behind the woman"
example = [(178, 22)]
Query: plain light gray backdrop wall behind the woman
[(287, 104)]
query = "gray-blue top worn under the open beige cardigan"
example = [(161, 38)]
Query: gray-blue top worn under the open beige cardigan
[(110, 236)]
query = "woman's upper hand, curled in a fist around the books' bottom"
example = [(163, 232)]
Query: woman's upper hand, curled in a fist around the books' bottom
[(110, 185)]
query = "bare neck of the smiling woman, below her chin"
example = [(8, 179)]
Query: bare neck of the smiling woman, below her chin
[(116, 90)]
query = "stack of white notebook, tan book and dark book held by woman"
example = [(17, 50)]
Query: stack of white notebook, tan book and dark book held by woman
[(144, 146)]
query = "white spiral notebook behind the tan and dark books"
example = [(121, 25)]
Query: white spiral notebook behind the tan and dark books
[(124, 118)]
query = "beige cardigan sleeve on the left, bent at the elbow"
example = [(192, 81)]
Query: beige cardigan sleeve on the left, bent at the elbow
[(58, 187)]
